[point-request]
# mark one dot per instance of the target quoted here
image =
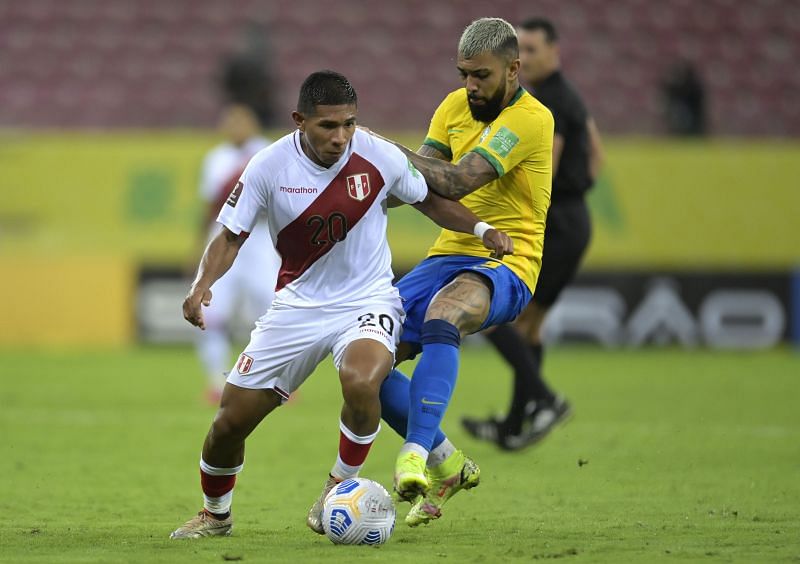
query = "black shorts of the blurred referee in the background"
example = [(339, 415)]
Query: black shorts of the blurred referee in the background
[(566, 236)]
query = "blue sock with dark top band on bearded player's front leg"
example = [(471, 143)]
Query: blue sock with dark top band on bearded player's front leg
[(433, 382)]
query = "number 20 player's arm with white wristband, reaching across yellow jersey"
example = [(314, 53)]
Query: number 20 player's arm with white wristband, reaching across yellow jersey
[(455, 217)]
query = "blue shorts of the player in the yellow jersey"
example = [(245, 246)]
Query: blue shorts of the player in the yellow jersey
[(510, 295)]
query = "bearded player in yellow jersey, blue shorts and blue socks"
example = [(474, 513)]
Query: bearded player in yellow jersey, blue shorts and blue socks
[(489, 145)]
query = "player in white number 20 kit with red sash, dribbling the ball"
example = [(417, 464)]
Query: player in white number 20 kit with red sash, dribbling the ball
[(325, 189)]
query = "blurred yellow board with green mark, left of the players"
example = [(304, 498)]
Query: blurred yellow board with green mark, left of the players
[(129, 194)]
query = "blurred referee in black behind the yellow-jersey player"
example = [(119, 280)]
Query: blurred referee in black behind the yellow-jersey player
[(535, 408)]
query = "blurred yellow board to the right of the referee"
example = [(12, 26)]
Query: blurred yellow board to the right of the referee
[(698, 205)]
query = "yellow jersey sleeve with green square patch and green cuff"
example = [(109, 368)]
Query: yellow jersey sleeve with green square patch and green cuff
[(514, 136)]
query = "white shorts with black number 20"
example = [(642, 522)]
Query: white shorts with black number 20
[(288, 343)]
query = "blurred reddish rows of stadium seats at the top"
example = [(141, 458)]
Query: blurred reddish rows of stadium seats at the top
[(150, 63)]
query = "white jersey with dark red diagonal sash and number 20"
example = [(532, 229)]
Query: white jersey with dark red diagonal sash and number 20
[(327, 224)]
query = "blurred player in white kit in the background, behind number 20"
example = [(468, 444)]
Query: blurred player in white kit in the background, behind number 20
[(250, 282)]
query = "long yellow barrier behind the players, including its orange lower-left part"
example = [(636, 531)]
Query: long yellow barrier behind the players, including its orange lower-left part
[(130, 198)]
